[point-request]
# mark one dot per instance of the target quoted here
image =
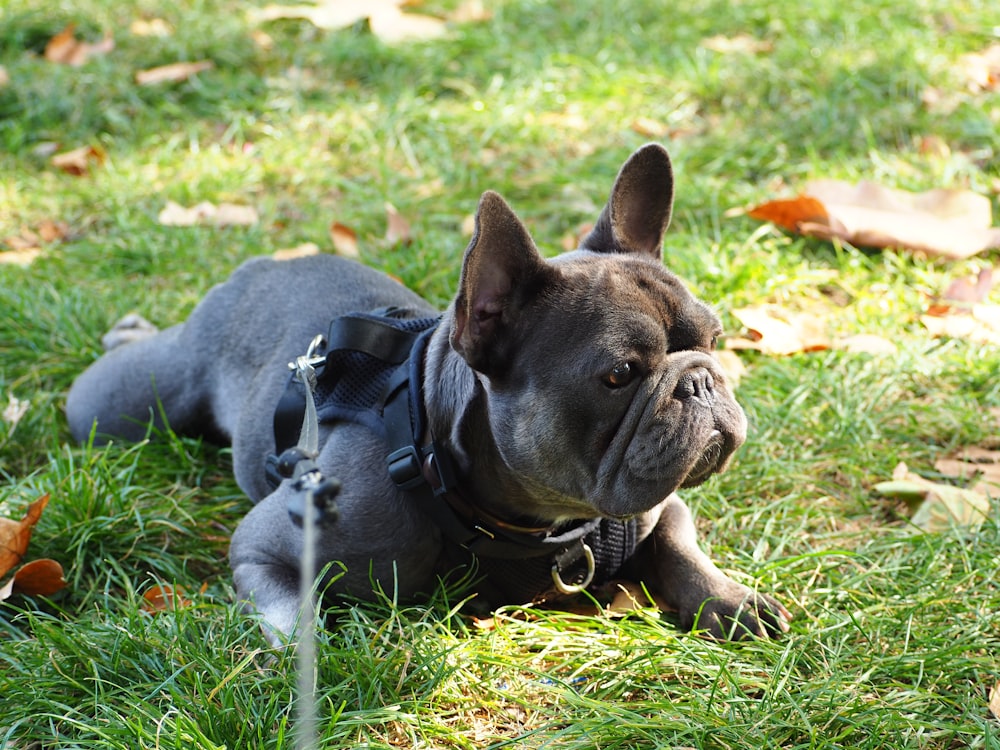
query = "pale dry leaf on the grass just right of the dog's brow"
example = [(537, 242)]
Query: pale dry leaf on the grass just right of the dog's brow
[(774, 330)]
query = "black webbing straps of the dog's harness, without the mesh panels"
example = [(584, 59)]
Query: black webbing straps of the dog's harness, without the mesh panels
[(425, 470)]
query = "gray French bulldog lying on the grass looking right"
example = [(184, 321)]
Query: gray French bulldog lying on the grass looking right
[(570, 398)]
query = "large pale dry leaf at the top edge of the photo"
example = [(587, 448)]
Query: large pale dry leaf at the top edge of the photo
[(386, 20)]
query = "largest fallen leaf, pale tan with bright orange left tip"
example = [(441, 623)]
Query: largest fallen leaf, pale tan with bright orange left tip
[(947, 223)]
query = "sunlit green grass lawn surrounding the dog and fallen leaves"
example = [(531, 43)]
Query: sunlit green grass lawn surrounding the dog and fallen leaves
[(896, 636)]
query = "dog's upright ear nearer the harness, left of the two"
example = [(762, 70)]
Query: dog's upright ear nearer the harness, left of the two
[(502, 269)]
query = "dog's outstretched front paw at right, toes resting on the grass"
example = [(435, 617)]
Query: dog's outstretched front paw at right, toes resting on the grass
[(739, 612)]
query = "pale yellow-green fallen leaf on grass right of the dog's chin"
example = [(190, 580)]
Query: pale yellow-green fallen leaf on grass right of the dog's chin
[(939, 507)]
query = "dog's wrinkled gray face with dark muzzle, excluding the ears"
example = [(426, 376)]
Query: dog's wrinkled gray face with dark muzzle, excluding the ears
[(612, 400)]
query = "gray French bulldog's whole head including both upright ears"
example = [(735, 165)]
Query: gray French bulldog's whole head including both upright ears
[(601, 391)]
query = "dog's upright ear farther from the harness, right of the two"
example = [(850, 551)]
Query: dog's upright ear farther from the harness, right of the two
[(638, 212)]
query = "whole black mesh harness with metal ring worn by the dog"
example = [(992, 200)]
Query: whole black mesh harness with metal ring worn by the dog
[(369, 370)]
